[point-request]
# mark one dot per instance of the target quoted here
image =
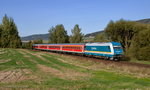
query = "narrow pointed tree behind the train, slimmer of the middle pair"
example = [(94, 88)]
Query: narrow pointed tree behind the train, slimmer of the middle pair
[(77, 36)]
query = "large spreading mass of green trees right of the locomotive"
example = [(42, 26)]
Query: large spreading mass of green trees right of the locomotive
[(134, 37)]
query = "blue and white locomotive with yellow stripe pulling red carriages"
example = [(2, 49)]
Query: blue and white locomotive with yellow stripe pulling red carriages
[(109, 50)]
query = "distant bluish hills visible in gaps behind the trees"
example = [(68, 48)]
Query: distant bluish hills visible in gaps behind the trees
[(93, 34)]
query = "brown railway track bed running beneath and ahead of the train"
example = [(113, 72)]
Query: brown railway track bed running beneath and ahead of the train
[(97, 59)]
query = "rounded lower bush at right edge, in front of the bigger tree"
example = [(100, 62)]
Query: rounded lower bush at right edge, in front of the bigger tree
[(140, 46)]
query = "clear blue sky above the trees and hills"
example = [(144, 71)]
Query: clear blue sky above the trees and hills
[(38, 16)]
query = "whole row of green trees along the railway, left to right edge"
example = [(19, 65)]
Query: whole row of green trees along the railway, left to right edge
[(134, 36)]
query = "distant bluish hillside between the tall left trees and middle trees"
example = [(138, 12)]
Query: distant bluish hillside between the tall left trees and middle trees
[(35, 36)]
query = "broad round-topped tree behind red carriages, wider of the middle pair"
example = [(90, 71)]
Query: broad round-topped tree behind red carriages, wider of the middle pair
[(58, 34)]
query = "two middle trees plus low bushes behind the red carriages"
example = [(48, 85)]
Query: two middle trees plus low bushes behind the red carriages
[(58, 34)]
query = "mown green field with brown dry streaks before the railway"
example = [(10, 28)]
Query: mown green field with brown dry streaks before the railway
[(26, 69)]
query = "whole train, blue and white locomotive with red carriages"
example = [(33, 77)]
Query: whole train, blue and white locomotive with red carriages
[(107, 50)]
